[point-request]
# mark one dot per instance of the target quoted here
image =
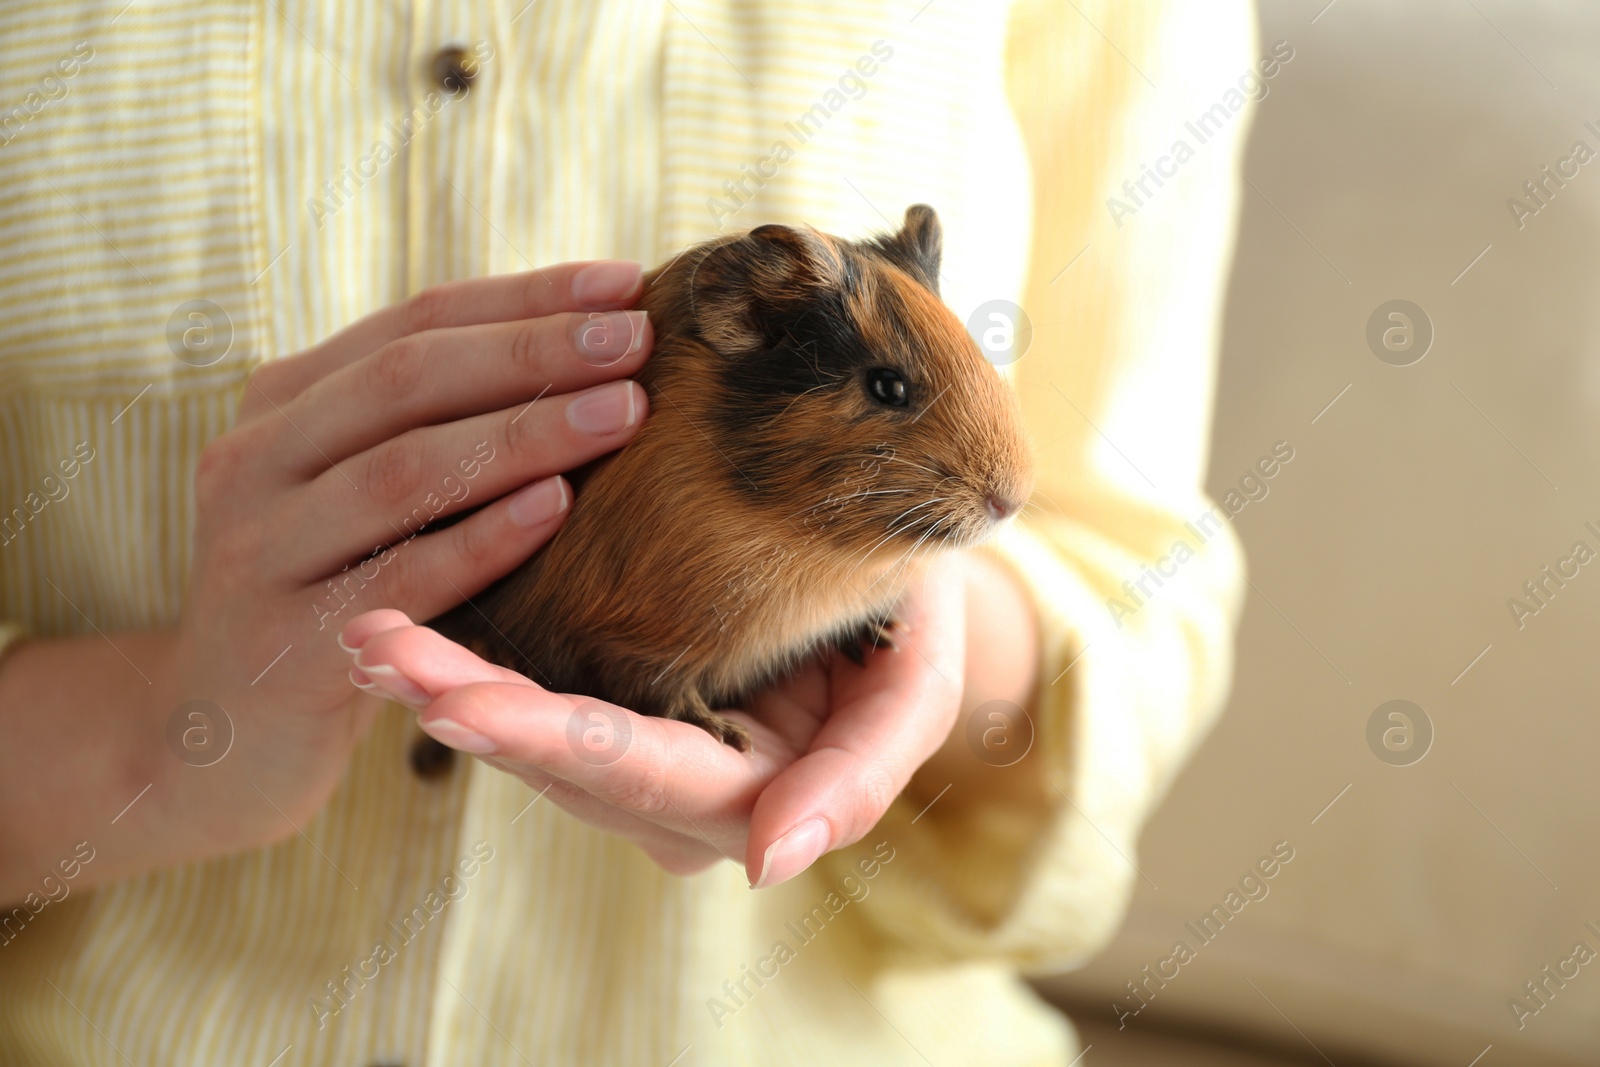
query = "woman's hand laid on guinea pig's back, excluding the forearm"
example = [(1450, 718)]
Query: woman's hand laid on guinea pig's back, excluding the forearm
[(310, 510)]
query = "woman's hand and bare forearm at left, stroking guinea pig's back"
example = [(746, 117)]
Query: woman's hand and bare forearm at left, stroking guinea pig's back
[(308, 513)]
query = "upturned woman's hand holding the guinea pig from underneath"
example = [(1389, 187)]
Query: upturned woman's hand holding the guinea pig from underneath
[(833, 745)]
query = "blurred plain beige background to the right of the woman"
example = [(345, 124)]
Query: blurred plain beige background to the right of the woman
[(1446, 853)]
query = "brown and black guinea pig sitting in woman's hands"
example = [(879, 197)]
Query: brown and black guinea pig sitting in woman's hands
[(818, 422)]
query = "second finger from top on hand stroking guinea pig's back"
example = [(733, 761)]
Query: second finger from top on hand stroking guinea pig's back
[(444, 375)]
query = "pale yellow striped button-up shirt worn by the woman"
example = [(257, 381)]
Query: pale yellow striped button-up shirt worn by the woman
[(294, 166)]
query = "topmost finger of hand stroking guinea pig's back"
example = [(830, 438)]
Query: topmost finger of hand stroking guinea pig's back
[(574, 287)]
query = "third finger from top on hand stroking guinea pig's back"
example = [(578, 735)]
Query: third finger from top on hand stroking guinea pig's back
[(398, 489)]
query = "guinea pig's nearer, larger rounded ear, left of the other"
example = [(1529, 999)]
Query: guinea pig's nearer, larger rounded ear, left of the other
[(742, 289)]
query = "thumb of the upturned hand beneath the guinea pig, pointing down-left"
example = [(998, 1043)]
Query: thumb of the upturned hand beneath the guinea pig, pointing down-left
[(887, 719)]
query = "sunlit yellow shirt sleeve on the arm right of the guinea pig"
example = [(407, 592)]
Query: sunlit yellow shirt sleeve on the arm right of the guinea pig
[(1135, 575)]
